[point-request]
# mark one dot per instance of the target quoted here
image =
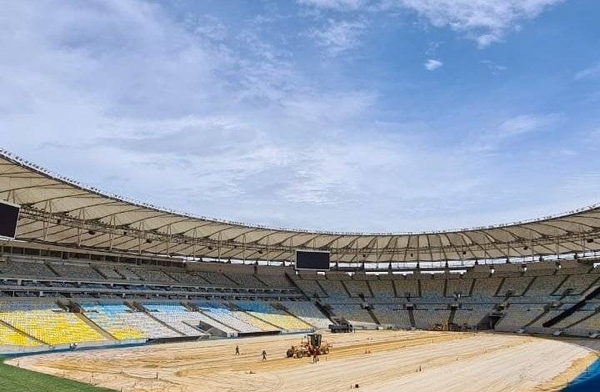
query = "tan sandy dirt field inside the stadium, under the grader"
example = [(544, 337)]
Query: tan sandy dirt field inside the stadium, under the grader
[(447, 362)]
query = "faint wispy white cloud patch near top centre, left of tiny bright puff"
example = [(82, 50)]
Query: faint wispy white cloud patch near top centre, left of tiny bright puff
[(339, 36)]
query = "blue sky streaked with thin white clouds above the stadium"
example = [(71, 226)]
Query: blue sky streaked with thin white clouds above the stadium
[(344, 115)]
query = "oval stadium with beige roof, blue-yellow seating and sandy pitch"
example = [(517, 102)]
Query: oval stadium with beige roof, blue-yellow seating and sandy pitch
[(131, 297)]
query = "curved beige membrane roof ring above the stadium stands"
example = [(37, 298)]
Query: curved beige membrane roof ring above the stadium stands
[(59, 211)]
